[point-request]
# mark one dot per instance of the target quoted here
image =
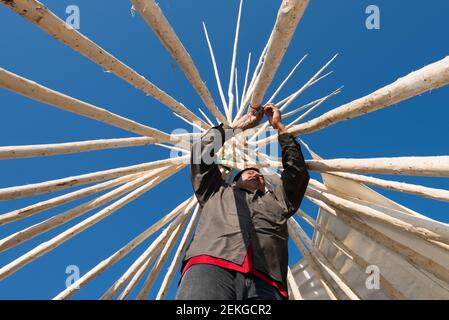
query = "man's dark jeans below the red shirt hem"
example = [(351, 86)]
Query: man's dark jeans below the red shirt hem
[(209, 282)]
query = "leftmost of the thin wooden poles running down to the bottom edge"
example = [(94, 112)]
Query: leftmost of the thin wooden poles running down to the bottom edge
[(122, 252)]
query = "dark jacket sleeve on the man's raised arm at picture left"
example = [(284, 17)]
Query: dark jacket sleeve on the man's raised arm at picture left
[(204, 171)]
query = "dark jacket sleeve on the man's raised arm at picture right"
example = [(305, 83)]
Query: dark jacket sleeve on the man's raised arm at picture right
[(295, 176)]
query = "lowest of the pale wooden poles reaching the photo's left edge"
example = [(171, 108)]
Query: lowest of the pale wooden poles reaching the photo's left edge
[(49, 245)]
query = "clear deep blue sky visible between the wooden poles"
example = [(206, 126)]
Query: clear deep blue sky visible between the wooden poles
[(412, 35)]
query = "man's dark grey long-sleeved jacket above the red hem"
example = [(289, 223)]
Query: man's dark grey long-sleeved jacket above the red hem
[(233, 218)]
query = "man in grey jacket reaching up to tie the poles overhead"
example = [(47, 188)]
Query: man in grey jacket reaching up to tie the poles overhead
[(240, 247)]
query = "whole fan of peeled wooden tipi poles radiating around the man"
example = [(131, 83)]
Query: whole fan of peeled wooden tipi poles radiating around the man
[(125, 184)]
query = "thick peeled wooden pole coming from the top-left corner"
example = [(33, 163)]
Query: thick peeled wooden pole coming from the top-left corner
[(42, 17)]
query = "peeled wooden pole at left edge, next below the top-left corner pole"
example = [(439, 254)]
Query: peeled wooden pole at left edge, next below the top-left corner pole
[(33, 90)]
